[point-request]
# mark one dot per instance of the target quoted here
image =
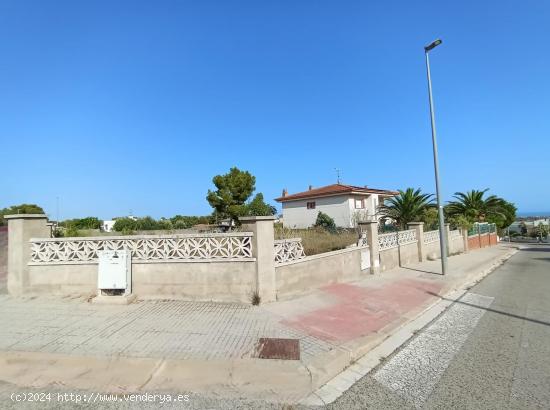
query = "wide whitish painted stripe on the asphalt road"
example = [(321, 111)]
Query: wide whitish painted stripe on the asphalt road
[(414, 371)]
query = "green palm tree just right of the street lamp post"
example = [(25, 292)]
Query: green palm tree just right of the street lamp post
[(474, 206)]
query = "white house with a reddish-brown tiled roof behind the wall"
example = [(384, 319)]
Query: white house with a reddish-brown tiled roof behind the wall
[(346, 204)]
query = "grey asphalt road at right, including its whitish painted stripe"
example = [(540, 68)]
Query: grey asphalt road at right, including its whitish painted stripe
[(491, 350)]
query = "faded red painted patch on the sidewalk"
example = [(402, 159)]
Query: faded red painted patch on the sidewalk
[(362, 311)]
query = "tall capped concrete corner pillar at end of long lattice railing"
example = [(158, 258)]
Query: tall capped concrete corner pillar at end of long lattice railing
[(263, 249)]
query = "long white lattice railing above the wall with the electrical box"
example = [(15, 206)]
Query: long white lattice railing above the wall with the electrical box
[(145, 248)]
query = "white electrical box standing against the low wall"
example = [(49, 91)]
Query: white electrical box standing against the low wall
[(115, 271)]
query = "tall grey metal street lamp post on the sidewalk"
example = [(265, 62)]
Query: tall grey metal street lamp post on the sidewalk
[(442, 233)]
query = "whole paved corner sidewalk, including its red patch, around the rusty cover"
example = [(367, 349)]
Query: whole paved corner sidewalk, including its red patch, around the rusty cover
[(200, 346)]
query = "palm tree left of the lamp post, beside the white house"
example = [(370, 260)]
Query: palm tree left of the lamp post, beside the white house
[(408, 206)]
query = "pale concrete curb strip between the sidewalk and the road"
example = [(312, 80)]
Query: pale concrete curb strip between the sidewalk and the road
[(338, 385)]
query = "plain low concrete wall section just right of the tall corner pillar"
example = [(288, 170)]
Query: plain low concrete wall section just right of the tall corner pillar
[(318, 270)]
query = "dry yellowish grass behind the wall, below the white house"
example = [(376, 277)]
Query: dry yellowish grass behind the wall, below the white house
[(318, 240)]
